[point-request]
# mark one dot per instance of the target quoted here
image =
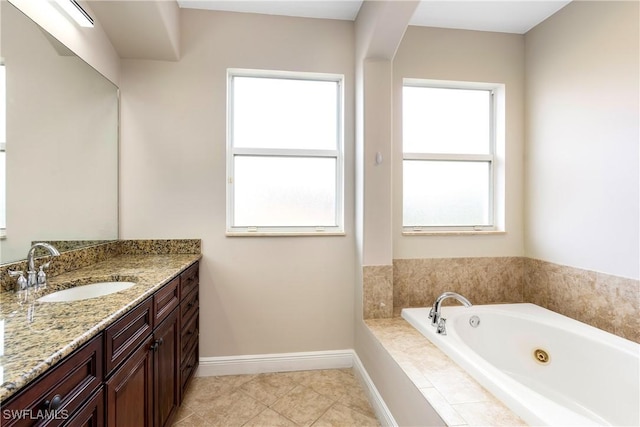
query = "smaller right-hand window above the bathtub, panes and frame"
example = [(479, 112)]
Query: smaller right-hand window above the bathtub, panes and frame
[(448, 156)]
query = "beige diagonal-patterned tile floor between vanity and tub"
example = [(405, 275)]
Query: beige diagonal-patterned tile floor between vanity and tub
[(324, 398)]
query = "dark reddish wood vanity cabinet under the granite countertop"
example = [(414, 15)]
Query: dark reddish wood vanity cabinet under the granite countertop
[(132, 374)]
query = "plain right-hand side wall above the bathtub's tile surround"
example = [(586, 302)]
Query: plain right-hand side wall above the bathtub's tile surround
[(582, 182)]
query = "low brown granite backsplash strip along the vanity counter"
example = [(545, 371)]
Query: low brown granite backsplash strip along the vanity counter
[(86, 256)]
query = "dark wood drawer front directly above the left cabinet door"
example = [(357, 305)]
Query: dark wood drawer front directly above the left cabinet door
[(122, 337)]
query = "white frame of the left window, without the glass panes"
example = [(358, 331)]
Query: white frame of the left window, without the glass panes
[(337, 154)]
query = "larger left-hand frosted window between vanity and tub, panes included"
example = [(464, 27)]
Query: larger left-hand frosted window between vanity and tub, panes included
[(284, 156)]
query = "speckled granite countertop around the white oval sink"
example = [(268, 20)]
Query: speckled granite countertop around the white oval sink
[(35, 336)]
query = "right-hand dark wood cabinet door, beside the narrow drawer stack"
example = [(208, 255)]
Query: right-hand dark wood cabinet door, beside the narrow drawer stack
[(166, 369)]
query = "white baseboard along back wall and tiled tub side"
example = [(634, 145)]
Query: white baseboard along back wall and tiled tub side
[(307, 361)]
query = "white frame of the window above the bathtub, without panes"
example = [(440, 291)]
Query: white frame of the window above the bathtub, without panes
[(494, 205)]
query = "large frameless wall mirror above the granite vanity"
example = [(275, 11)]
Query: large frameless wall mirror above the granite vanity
[(58, 142)]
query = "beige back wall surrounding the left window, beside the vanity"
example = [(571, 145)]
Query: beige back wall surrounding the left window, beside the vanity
[(258, 294)]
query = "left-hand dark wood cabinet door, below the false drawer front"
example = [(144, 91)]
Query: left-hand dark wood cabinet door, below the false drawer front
[(129, 390)]
